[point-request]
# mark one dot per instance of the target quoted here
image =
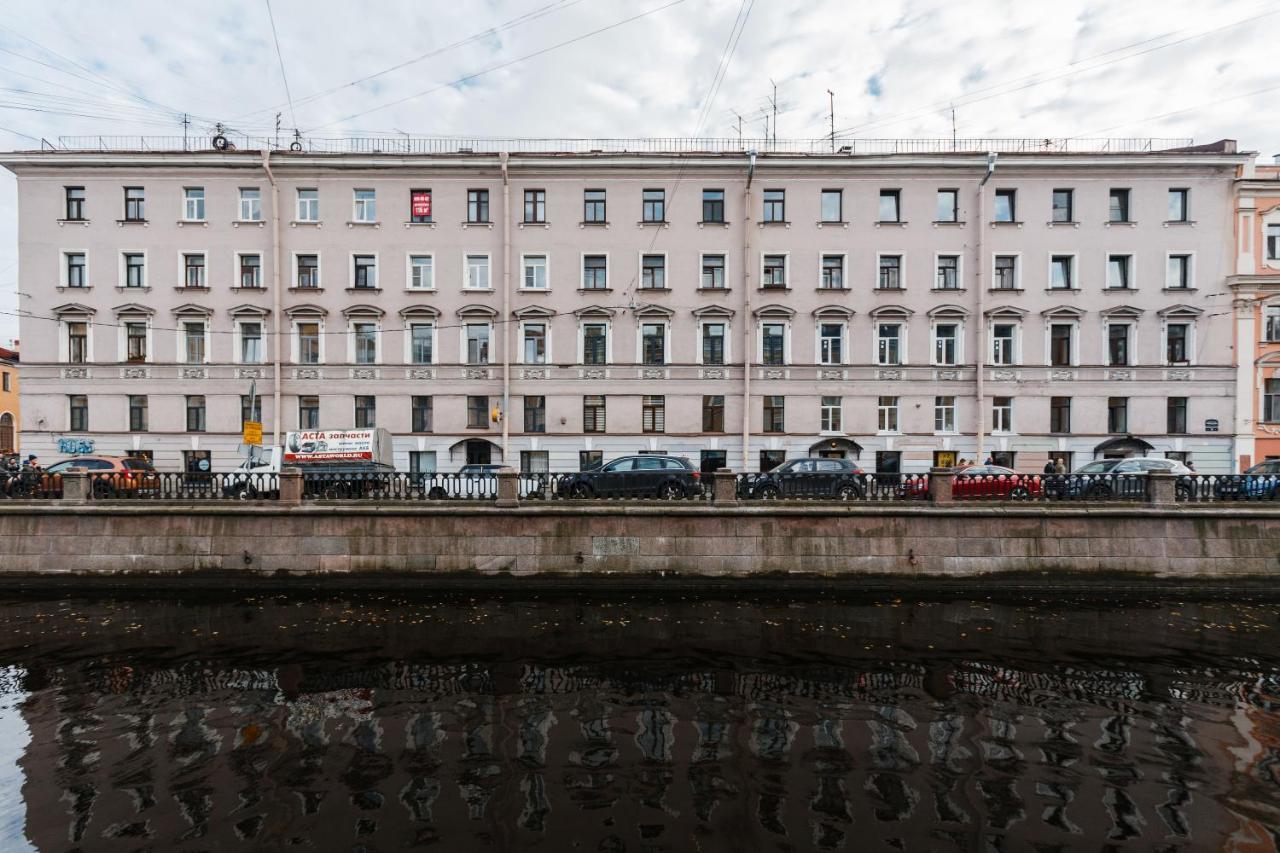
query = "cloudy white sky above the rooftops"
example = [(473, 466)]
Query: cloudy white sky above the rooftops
[(630, 69)]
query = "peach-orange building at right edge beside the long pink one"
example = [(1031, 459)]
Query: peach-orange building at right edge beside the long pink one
[(1258, 312)]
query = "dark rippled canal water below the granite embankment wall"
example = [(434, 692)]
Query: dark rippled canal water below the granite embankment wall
[(388, 724)]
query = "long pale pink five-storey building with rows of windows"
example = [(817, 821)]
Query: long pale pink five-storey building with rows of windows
[(890, 307)]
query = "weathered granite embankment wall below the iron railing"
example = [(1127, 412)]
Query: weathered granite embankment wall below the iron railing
[(702, 541)]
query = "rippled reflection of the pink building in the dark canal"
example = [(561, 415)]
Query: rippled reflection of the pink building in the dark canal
[(344, 750)]
